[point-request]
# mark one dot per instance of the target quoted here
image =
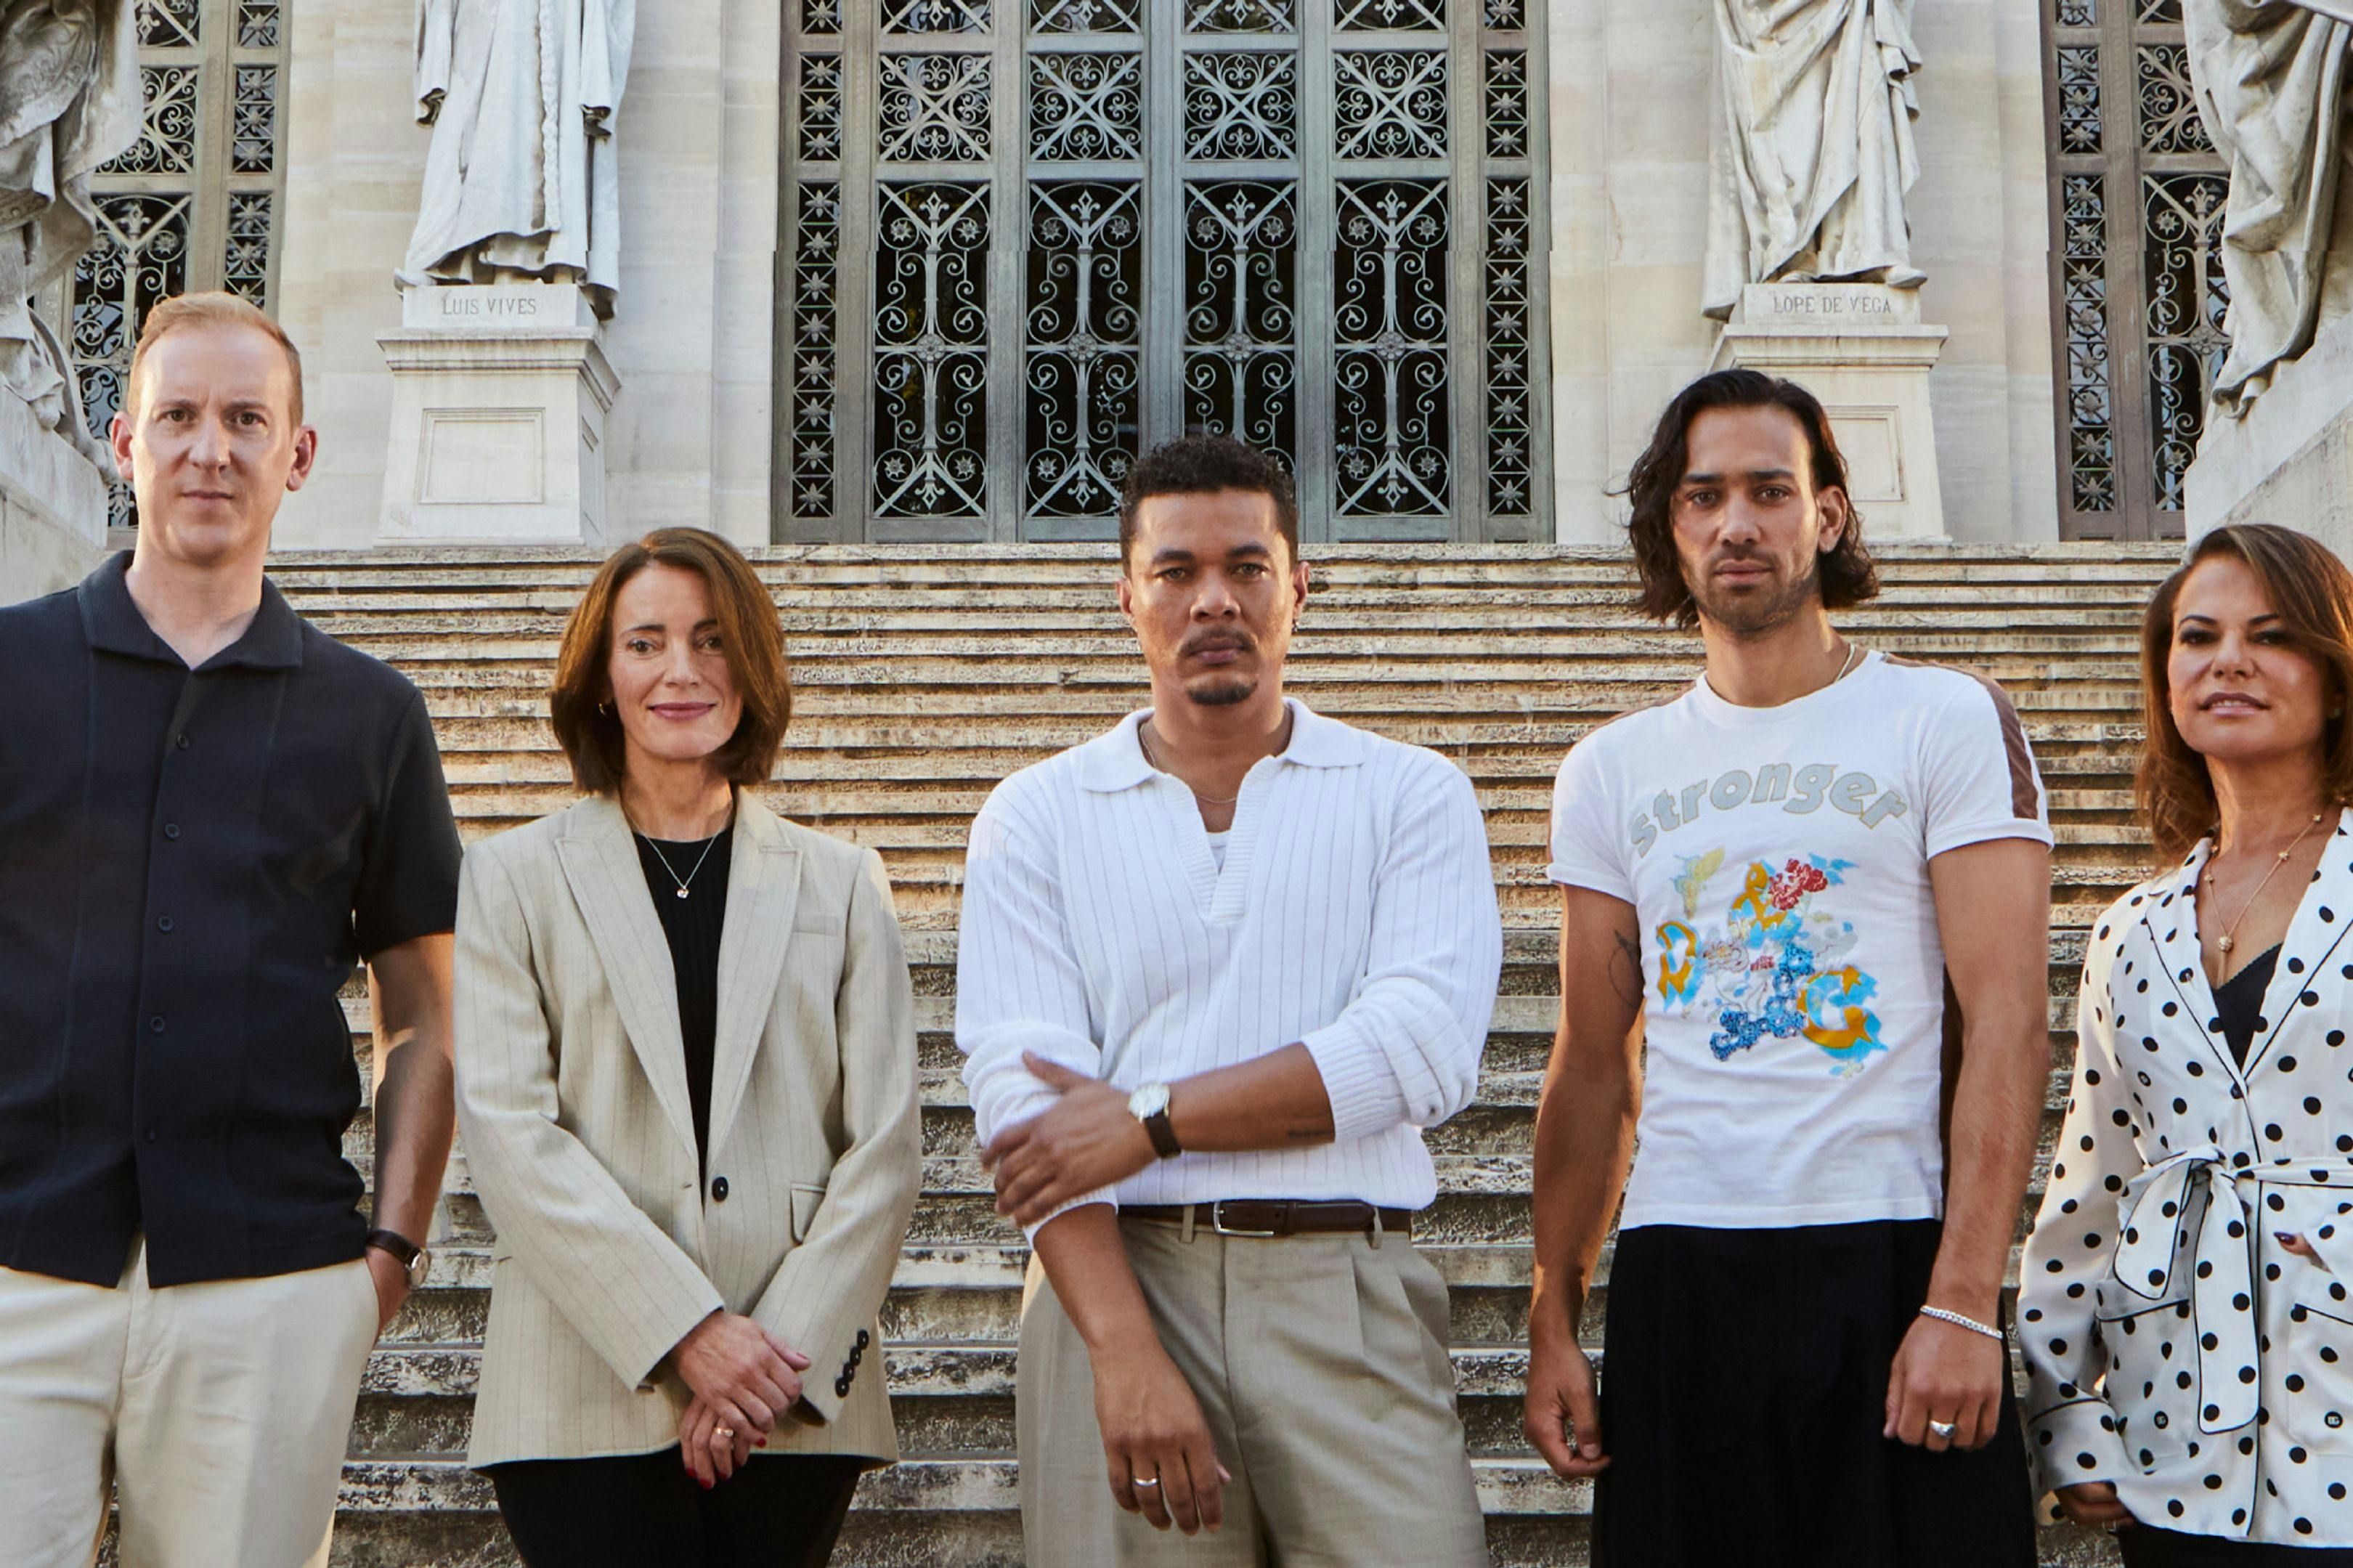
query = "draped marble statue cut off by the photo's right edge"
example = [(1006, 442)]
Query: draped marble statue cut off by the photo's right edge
[(2272, 93)]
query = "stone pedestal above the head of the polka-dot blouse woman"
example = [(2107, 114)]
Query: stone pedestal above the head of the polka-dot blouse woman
[(2291, 458)]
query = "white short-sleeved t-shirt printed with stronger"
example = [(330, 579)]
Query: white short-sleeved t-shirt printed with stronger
[(1794, 976)]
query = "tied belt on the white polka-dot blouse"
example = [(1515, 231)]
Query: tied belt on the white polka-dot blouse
[(2222, 1282)]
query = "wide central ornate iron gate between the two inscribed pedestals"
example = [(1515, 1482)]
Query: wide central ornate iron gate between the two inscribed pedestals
[(1029, 239)]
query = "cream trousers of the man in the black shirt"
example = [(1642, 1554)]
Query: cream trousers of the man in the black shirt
[(220, 1411)]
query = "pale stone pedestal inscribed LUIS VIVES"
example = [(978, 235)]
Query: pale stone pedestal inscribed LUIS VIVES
[(500, 399)]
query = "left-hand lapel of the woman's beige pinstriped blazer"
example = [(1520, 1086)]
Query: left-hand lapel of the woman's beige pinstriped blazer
[(608, 884)]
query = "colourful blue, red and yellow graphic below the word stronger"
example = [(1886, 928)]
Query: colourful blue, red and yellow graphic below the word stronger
[(1773, 962)]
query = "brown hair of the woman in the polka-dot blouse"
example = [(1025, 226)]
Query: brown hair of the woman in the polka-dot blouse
[(2312, 592)]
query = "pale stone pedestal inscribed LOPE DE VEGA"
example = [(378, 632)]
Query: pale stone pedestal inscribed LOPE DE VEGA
[(1862, 350)]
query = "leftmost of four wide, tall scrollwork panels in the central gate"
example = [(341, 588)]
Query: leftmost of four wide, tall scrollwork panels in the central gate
[(931, 352)]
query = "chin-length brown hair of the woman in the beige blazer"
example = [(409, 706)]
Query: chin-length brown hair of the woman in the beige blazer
[(752, 639)]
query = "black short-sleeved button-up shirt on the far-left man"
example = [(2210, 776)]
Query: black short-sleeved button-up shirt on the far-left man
[(192, 863)]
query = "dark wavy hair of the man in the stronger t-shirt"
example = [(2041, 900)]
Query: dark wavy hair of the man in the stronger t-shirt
[(1848, 576)]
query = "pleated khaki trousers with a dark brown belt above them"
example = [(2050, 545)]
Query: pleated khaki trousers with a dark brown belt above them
[(1321, 1367)]
